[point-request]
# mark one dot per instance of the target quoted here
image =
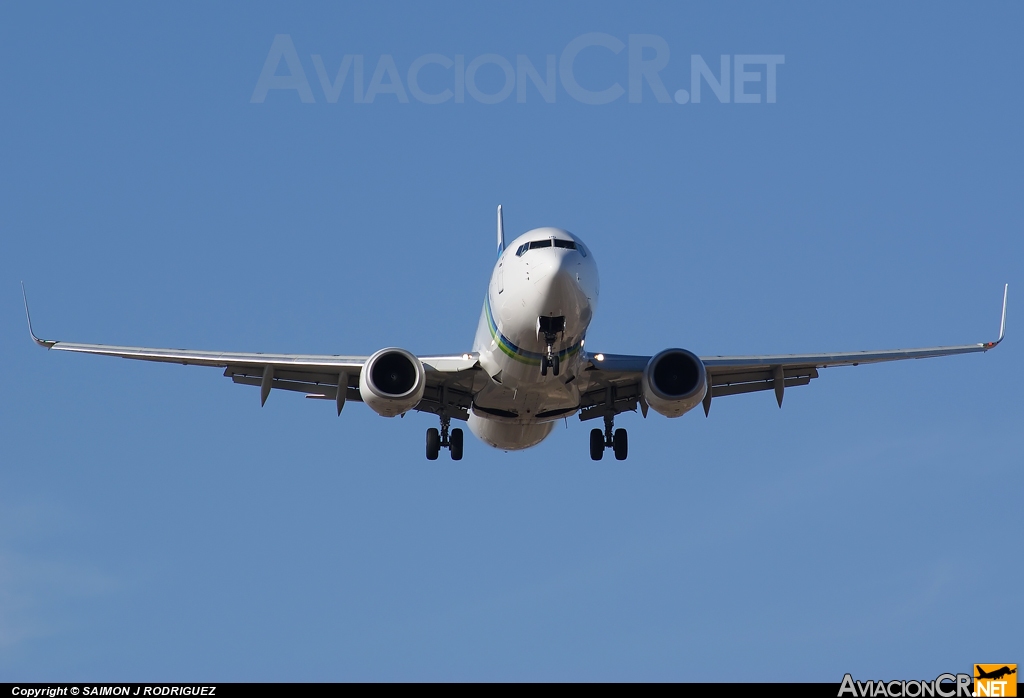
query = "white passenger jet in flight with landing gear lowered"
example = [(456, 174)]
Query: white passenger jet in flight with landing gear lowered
[(529, 367)]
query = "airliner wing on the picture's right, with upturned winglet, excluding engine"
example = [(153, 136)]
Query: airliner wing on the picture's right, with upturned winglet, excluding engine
[(616, 378)]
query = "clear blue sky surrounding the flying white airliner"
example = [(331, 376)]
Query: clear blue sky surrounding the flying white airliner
[(157, 525)]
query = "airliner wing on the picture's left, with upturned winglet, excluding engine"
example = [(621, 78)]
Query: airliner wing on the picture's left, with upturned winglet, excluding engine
[(319, 376)]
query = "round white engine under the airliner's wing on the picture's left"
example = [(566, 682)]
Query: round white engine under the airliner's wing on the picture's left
[(392, 382)]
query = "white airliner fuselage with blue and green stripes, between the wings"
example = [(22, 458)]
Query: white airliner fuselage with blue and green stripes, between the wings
[(543, 277)]
